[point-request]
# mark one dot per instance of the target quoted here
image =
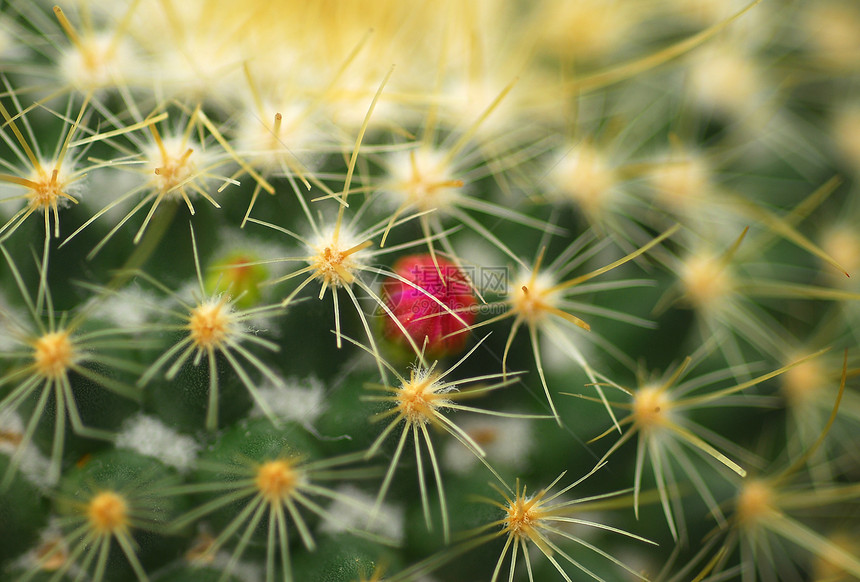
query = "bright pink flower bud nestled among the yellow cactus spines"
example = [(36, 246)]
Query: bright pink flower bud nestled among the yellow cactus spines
[(436, 307)]
